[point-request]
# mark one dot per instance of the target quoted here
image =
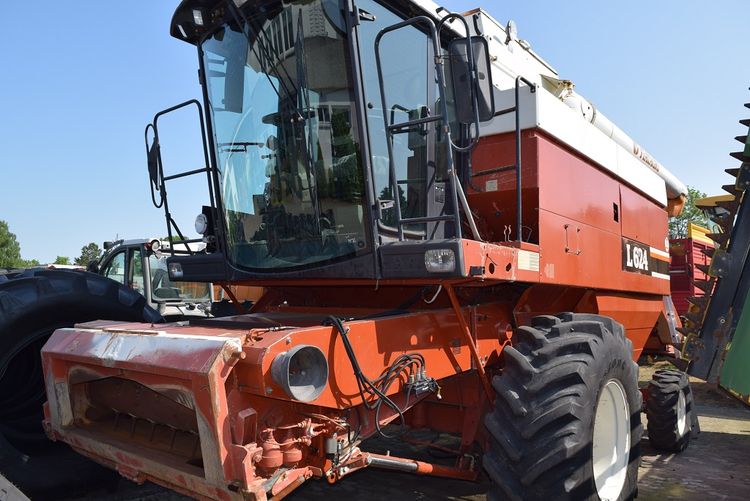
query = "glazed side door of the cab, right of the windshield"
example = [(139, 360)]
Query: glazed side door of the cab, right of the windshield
[(408, 71)]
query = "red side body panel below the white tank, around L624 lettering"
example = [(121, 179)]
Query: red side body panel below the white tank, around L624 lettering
[(569, 210)]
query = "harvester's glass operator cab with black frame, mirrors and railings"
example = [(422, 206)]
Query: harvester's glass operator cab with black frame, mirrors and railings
[(335, 143)]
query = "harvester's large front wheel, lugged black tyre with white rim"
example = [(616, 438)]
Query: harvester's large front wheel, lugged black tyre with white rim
[(566, 422)]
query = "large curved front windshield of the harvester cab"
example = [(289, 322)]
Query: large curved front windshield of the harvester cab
[(283, 116)]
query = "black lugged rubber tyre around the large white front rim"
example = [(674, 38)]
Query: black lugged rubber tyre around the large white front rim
[(545, 403)]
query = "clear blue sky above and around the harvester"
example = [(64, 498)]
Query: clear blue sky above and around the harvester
[(80, 80)]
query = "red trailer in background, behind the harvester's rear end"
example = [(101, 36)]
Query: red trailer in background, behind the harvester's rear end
[(688, 263)]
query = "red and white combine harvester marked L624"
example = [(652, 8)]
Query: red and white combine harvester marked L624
[(419, 206)]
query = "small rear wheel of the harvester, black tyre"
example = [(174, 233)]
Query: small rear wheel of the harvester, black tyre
[(669, 410)]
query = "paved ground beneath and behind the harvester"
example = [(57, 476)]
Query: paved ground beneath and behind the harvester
[(716, 465)]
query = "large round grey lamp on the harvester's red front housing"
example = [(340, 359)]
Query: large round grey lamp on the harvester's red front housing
[(301, 371)]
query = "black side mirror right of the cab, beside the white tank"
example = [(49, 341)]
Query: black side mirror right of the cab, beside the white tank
[(462, 80)]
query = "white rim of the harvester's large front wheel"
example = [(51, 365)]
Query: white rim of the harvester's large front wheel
[(611, 441)]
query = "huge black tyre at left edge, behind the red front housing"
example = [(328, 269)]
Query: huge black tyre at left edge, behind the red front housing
[(33, 304)]
